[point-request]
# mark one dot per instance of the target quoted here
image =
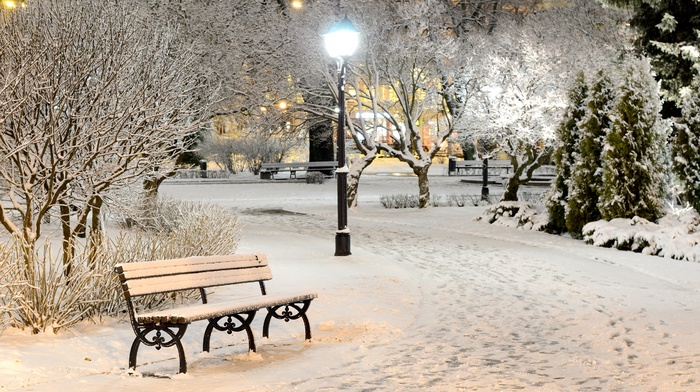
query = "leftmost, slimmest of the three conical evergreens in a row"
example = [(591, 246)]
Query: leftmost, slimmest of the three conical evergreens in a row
[(568, 135)]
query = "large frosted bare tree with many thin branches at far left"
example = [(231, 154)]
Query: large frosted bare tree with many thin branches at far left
[(93, 99)]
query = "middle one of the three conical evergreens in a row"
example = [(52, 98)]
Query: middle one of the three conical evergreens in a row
[(585, 182)]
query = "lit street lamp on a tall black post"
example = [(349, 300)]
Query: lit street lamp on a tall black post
[(341, 40)]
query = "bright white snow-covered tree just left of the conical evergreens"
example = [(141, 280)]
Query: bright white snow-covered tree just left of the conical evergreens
[(527, 69)]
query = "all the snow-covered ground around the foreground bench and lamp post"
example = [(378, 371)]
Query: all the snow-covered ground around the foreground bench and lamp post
[(428, 300)]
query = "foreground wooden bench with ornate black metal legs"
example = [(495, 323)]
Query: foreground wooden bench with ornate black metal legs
[(165, 328)]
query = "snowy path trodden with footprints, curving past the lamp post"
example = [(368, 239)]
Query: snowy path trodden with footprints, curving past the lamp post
[(497, 313)]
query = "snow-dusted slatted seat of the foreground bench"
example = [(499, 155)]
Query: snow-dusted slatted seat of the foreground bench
[(192, 313)]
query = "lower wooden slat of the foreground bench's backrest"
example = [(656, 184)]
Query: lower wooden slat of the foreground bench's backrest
[(165, 283)]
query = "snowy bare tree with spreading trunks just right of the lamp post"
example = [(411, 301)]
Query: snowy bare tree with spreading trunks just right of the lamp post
[(404, 96)]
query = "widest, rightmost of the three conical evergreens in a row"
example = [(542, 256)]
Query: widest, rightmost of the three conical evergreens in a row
[(634, 175)]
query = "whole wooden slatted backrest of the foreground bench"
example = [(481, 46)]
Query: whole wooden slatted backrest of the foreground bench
[(161, 276)]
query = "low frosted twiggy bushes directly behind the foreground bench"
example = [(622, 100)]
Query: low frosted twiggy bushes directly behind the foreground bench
[(37, 294)]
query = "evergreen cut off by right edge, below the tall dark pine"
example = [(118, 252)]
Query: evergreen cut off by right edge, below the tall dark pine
[(686, 146)]
